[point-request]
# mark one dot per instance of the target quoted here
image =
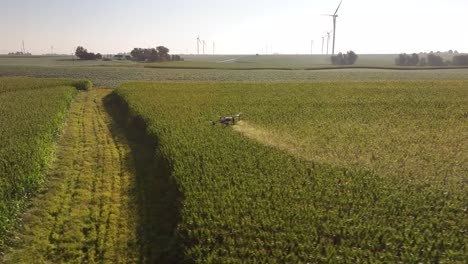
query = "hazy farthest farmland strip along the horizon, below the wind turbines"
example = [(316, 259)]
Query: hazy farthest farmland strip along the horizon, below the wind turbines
[(295, 62)]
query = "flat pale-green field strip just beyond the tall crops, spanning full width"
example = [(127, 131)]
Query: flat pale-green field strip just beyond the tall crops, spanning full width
[(113, 76)]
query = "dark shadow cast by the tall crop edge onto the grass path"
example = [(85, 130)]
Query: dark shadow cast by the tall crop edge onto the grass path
[(156, 194)]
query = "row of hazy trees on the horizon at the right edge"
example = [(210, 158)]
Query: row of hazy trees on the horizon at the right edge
[(432, 59)]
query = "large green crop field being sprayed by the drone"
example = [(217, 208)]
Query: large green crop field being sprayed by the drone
[(246, 201)]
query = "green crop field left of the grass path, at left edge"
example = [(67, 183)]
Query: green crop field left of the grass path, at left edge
[(32, 112)]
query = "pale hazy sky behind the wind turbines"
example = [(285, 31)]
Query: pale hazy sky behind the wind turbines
[(237, 27)]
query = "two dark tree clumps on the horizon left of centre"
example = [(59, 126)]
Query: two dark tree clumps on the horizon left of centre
[(159, 53)]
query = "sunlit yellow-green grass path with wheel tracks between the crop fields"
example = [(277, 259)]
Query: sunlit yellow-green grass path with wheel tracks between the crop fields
[(87, 213)]
